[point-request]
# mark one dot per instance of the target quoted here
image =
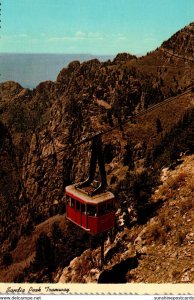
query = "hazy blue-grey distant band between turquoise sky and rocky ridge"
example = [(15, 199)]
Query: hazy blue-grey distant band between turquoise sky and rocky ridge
[(31, 69)]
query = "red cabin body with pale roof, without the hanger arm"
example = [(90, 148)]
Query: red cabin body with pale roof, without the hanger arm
[(95, 214)]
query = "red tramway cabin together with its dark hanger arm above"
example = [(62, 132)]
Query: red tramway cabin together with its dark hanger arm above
[(92, 208)]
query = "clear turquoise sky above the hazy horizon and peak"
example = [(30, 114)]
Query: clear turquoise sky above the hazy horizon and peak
[(90, 26)]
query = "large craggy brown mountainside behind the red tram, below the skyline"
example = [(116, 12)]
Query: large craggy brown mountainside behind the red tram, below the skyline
[(41, 127)]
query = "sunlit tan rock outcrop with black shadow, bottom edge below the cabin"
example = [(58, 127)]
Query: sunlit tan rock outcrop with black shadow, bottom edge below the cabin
[(120, 257)]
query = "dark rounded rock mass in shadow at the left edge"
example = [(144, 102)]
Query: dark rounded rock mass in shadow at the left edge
[(12, 191)]
